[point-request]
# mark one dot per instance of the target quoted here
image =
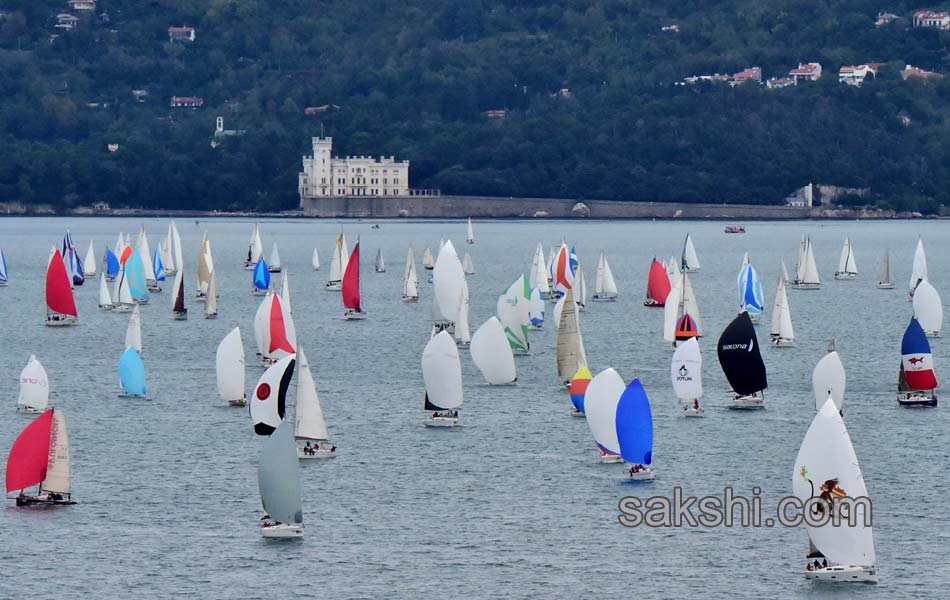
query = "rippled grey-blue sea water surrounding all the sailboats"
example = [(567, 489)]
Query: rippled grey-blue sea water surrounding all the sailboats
[(513, 504)]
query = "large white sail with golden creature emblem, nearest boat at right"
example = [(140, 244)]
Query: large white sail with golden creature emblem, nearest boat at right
[(827, 459)]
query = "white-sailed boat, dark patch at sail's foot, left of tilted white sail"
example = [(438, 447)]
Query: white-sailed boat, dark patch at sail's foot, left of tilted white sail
[(442, 374)]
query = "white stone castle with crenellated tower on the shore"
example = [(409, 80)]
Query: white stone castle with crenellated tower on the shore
[(325, 176)]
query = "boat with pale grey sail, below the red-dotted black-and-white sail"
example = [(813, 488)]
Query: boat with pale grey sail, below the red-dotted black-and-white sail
[(279, 485)]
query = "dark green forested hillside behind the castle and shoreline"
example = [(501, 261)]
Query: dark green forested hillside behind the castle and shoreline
[(414, 79)]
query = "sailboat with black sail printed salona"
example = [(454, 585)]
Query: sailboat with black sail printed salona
[(741, 361)]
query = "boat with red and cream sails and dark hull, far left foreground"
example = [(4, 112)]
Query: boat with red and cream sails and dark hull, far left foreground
[(40, 456)]
